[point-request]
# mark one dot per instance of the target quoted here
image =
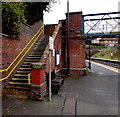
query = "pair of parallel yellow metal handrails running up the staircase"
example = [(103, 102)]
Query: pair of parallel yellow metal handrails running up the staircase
[(39, 32)]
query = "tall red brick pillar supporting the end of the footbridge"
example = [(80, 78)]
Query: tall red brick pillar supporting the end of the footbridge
[(77, 44)]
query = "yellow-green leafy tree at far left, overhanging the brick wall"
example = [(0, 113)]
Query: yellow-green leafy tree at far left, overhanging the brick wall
[(12, 15)]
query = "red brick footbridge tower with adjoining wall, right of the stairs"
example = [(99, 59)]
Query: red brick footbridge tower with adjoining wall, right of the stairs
[(77, 46)]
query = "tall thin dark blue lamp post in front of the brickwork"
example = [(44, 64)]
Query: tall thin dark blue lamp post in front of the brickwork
[(68, 39)]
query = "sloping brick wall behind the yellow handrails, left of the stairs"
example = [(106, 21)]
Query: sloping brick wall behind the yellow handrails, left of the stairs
[(11, 47)]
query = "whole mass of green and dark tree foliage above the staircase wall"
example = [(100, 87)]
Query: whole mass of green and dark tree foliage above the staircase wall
[(13, 13)]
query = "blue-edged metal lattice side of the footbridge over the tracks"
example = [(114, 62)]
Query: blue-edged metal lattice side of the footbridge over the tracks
[(101, 25)]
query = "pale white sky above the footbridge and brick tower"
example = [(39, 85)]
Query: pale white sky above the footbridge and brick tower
[(86, 6)]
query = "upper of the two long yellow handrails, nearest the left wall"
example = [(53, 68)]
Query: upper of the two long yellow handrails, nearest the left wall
[(22, 51)]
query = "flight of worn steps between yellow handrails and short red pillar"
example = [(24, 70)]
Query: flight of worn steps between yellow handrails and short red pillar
[(18, 85)]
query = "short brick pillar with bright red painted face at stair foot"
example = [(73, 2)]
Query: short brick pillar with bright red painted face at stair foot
[(38, 84)]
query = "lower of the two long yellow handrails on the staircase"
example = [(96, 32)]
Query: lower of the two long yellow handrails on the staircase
[(21, 58)]
